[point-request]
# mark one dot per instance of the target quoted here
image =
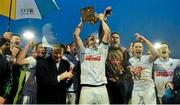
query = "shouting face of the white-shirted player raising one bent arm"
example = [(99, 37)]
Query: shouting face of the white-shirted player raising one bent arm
[(137, 49)]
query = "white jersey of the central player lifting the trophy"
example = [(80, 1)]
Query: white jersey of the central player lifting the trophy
[(93, 65)]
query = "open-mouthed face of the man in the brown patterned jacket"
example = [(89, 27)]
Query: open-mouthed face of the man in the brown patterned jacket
[(115, 40)]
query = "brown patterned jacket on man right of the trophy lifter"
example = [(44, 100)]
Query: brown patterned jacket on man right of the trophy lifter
[(117, 59)]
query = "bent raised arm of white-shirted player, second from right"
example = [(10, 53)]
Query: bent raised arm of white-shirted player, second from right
[(154, 54)]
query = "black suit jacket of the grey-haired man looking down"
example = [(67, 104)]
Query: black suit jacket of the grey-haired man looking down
[(49, 90)]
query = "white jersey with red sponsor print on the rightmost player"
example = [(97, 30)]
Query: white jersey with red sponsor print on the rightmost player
[(163, 73)]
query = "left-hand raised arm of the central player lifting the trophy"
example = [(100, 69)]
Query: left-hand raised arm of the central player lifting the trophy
[(77, 38)]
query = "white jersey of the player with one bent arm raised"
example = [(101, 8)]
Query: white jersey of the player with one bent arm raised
[(145, 79)]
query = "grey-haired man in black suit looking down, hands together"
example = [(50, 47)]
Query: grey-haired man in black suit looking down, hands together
[(52, 76)]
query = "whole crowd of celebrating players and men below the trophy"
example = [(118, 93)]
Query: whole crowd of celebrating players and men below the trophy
[(93, 73)]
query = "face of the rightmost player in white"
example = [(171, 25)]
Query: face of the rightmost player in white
[(164, 51)]
